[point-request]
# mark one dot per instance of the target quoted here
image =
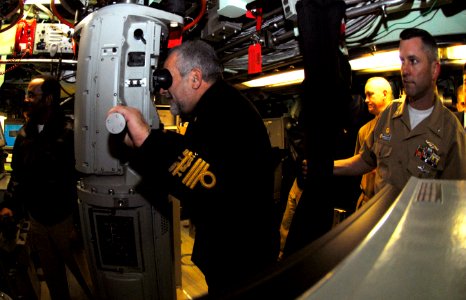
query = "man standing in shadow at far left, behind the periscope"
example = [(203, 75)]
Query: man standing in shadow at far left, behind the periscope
[(43, 184)]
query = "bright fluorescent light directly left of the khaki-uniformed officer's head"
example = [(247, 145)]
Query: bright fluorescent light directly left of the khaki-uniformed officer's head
[(381, 61)]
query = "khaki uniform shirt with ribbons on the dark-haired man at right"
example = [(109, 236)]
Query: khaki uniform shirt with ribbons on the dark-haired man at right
[(435, 148)]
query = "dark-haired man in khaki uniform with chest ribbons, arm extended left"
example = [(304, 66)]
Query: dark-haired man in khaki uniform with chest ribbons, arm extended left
[(417, 136)]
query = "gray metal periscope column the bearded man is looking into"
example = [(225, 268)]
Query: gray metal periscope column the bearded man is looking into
[(129, 243)]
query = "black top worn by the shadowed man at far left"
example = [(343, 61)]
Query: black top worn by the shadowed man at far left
[(43, 178)]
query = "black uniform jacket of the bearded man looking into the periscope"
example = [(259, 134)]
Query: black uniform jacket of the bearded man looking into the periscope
[(235, 220)]
